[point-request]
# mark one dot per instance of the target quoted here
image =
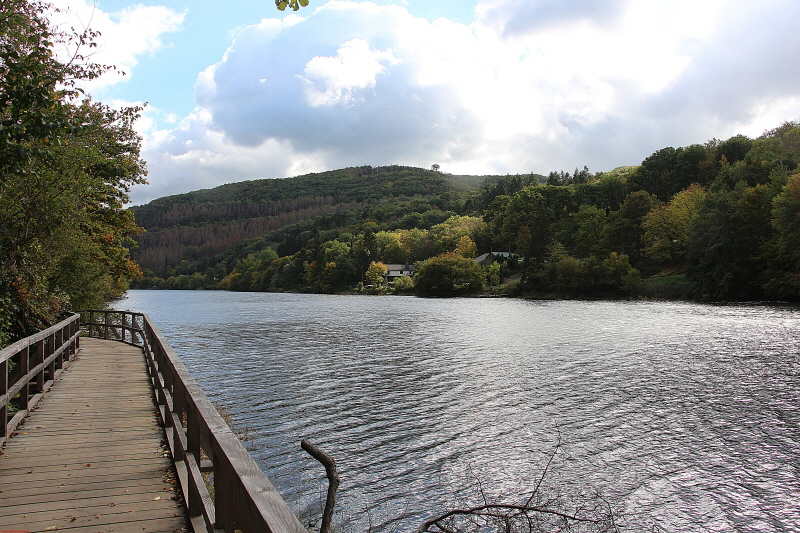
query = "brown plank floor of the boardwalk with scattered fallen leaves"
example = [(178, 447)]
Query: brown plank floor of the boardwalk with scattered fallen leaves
[(92, 457)]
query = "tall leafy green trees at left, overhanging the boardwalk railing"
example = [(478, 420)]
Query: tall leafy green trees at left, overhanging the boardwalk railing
[(66, 165)]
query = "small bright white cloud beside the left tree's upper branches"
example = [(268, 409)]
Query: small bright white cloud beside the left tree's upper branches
[(124, 36)]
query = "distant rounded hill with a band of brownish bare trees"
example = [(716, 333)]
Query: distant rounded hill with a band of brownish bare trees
[(187, 229)]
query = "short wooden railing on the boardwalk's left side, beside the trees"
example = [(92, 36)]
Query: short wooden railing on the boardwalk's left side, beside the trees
[(30, 366)]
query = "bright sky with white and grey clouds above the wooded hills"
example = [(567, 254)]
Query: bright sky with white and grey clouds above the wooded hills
[(237, 90)]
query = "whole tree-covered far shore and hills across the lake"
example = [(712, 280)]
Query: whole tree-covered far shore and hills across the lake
[(708, 221)]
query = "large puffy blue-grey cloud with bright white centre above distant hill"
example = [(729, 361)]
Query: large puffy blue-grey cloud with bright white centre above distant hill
[(349, 79)]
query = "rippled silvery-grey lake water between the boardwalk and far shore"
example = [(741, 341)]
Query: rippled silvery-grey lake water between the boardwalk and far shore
[(685, 416)]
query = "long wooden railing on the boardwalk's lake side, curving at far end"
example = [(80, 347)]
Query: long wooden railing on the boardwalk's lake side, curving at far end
[(237, 495)]
